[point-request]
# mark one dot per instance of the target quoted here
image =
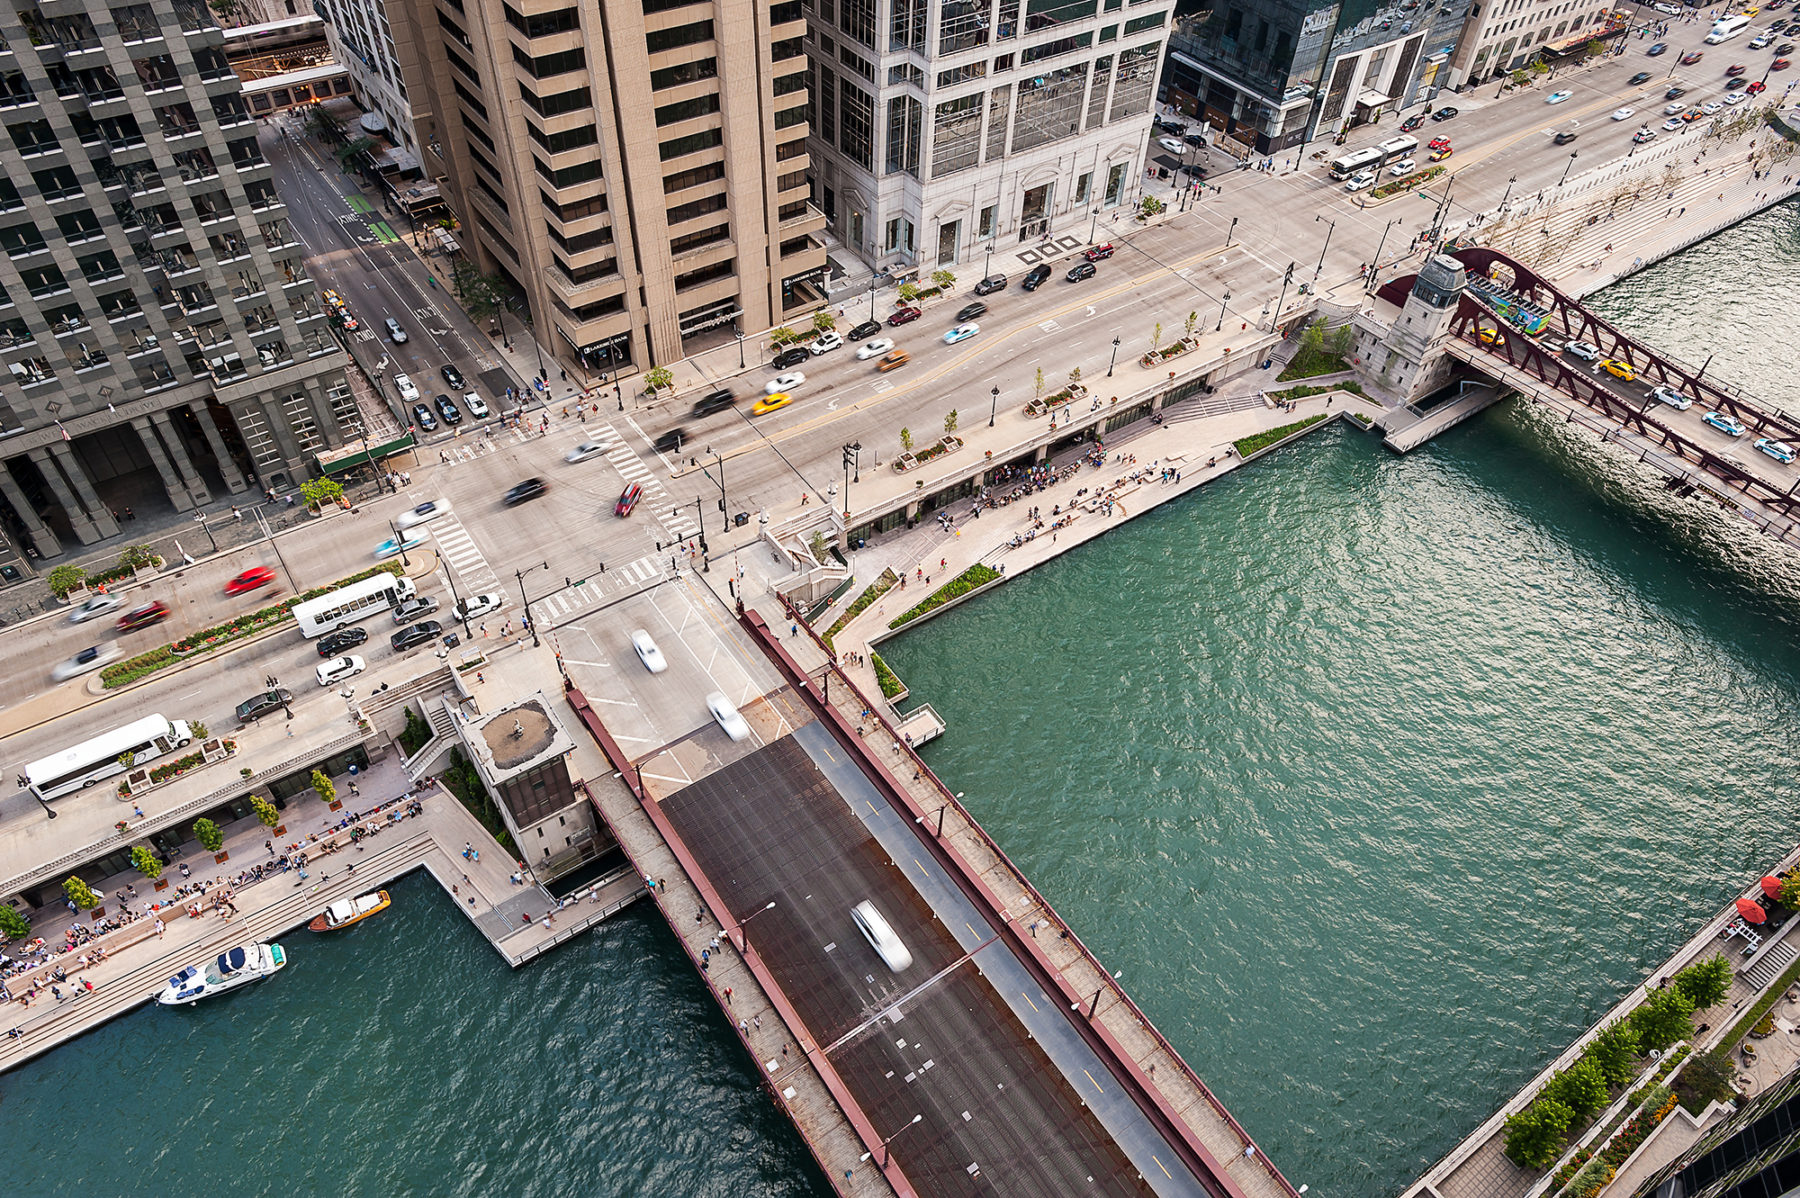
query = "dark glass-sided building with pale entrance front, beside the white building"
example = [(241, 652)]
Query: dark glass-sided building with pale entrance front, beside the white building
[(1272, 75)]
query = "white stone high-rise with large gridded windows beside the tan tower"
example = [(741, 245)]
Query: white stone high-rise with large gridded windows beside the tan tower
[(946, 130)]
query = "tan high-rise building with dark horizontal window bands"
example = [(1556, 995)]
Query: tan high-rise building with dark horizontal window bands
[(634, 168)]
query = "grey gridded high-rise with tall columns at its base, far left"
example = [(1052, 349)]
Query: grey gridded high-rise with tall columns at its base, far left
[(161, 337)]
